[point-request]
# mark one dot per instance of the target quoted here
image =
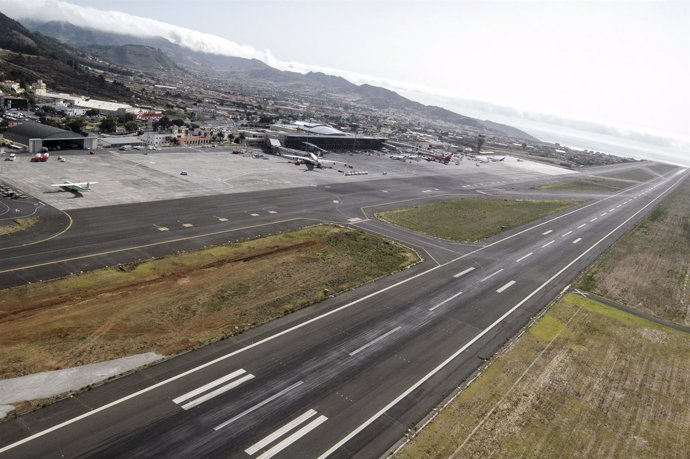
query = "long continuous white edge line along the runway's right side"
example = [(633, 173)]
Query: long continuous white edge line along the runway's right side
[(477, 337)]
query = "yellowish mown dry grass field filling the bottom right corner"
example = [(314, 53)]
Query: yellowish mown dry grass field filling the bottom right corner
[(586, 380)]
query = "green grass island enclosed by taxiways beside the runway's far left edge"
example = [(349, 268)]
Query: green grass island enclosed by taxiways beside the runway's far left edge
[(469, 220)]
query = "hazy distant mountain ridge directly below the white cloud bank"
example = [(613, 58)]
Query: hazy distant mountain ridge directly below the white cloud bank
[(134, 51)]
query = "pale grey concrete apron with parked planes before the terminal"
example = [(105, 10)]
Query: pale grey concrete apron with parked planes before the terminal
[(145, 176)]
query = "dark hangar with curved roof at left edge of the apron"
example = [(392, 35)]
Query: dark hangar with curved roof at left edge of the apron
[(36, 136)]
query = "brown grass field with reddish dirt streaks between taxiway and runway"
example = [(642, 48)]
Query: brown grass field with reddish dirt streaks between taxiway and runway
[(182, 301)]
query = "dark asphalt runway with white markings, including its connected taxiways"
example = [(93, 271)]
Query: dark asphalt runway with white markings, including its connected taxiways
[(347, 377)]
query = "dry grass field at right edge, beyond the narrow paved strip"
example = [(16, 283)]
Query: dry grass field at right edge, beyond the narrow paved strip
[(649, 268)]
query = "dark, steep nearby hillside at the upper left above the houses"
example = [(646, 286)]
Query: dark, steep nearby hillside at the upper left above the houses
[(34, 56)]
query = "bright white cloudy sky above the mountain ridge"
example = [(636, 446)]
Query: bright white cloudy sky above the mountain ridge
[(621, 63)]
